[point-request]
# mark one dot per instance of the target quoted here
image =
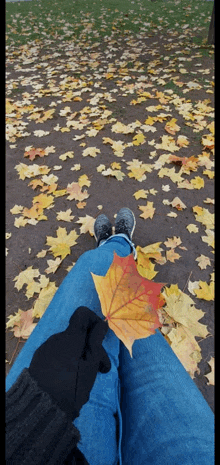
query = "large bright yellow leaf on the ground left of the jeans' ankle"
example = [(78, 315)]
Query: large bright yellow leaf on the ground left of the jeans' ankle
[(60, 245)]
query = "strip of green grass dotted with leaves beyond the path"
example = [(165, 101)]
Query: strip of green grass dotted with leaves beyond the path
[(91, 20)]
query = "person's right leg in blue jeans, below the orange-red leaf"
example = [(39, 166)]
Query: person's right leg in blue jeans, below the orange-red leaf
[(165, 418)]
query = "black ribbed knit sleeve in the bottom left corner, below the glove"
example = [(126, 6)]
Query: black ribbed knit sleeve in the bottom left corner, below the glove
[(38, 432)]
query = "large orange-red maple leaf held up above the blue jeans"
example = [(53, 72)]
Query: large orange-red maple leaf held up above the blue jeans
[(128, 301)]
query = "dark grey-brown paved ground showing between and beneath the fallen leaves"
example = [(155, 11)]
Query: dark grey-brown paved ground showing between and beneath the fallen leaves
[(80, 84)]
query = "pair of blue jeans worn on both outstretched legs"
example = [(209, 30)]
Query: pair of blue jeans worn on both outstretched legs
[(146, 409)]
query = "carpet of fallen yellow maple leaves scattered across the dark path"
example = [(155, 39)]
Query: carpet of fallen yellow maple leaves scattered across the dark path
[(150, 122)]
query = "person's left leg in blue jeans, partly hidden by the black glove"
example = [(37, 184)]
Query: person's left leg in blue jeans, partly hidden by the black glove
[(96, 423)]
